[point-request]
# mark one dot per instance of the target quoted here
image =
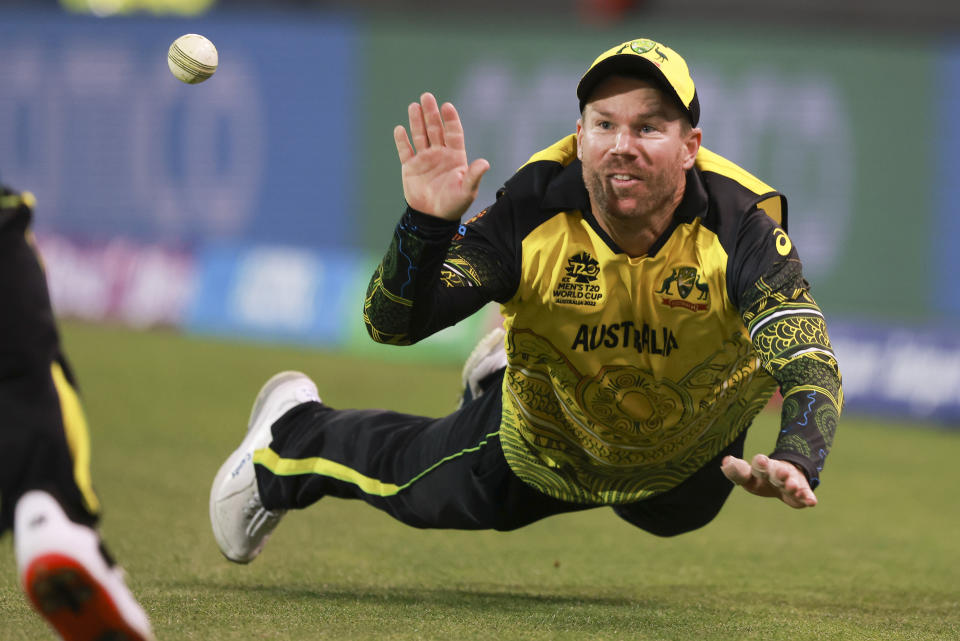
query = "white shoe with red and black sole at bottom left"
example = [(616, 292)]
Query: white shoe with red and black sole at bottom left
[(68, 577)]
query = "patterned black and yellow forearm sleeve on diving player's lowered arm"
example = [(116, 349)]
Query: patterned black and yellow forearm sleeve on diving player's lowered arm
[(790, 335)]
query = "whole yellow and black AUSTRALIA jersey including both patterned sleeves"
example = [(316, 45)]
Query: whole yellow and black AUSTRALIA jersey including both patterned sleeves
[(625, 375)]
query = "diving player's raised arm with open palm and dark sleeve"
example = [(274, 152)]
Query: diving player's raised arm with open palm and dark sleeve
[(426, 281)]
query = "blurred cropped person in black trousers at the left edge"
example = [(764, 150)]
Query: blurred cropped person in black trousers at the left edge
[(45, 484)]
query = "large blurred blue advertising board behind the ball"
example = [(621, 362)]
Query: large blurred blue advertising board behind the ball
[(93, 122)]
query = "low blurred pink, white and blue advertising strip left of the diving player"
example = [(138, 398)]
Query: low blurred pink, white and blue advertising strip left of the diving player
[(274, 293)]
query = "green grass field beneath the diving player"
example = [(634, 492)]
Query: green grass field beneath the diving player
[(879, 558)]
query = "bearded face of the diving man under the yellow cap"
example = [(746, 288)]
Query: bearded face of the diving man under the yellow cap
[(635, 145)]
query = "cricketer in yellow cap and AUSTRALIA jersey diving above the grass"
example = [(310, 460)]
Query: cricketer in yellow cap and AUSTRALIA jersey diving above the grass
[(652, 304)]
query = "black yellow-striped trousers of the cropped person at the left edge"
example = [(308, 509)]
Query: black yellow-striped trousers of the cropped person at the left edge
[(34, 449)]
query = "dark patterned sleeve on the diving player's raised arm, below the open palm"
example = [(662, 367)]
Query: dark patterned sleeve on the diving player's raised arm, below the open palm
[(427, 281)]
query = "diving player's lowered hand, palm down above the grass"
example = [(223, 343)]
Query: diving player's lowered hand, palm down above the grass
[(765, 476)]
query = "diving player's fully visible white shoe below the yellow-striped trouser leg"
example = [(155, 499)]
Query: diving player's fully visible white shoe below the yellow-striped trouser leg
[(241, 525)]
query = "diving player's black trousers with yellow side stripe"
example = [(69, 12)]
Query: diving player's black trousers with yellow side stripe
[(446, 472)]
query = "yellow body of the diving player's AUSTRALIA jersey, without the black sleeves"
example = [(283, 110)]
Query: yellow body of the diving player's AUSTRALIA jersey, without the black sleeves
[(625, 375)]
